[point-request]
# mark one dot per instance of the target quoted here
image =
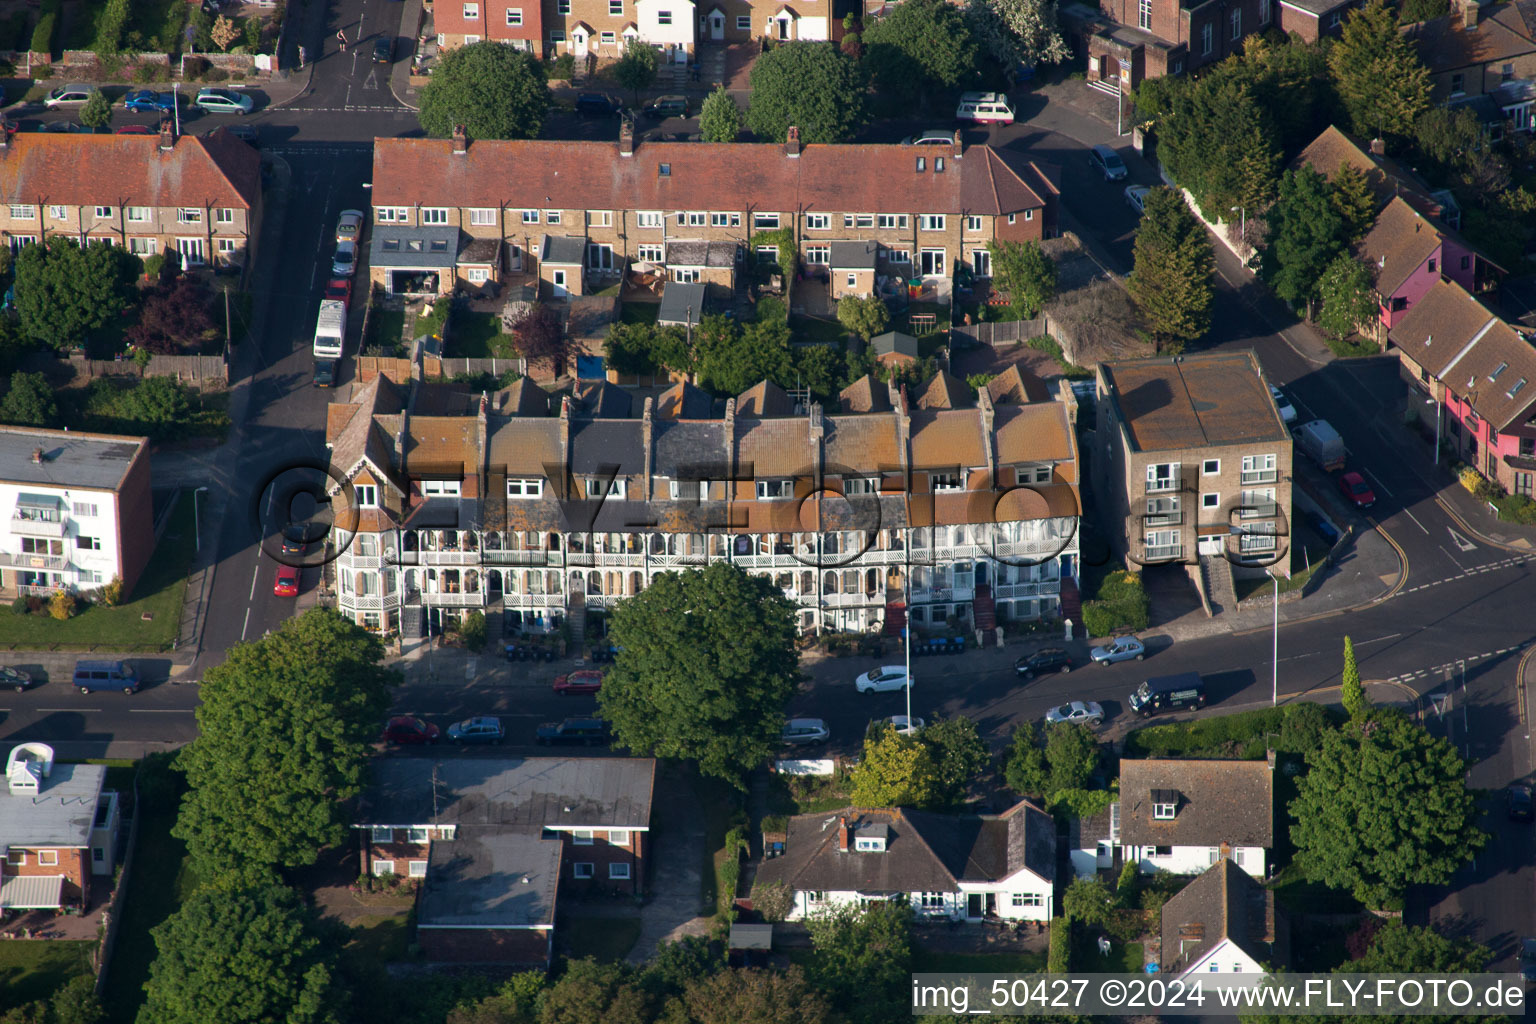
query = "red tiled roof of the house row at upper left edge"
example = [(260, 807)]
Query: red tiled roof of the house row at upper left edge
[(42, 168)]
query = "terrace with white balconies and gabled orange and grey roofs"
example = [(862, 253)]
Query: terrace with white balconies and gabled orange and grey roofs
[(549, 506)]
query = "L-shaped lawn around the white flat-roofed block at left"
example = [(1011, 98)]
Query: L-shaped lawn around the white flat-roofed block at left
[(161, 593)]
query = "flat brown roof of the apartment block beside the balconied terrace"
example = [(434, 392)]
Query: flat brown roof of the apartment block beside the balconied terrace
[(1193, 401)]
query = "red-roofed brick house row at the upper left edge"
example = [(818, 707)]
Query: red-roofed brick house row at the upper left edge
[(151, 194)]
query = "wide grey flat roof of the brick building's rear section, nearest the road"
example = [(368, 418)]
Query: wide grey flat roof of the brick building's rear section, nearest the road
[(531, 793)]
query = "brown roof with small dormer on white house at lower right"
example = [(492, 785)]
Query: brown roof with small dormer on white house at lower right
[(1219, 802)]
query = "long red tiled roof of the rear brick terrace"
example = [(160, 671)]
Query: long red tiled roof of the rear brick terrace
[(701, 176)]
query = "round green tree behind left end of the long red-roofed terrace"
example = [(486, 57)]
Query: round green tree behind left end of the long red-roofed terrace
[(491, 88)]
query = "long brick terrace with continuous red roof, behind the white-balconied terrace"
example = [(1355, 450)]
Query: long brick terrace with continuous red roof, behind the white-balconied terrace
[(460, 214)]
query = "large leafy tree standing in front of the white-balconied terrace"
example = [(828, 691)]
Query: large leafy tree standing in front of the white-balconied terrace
[(706, 666)]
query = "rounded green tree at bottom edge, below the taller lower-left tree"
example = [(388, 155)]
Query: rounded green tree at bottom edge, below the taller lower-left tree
[(242, 956)]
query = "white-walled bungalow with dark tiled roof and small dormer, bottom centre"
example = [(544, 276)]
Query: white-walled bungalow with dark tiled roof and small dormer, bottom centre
[(945, 867)]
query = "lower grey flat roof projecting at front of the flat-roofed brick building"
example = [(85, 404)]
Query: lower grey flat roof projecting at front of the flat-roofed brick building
[(491, 880)]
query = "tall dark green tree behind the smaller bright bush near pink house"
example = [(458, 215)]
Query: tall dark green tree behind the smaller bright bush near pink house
[(1306, 234)]
